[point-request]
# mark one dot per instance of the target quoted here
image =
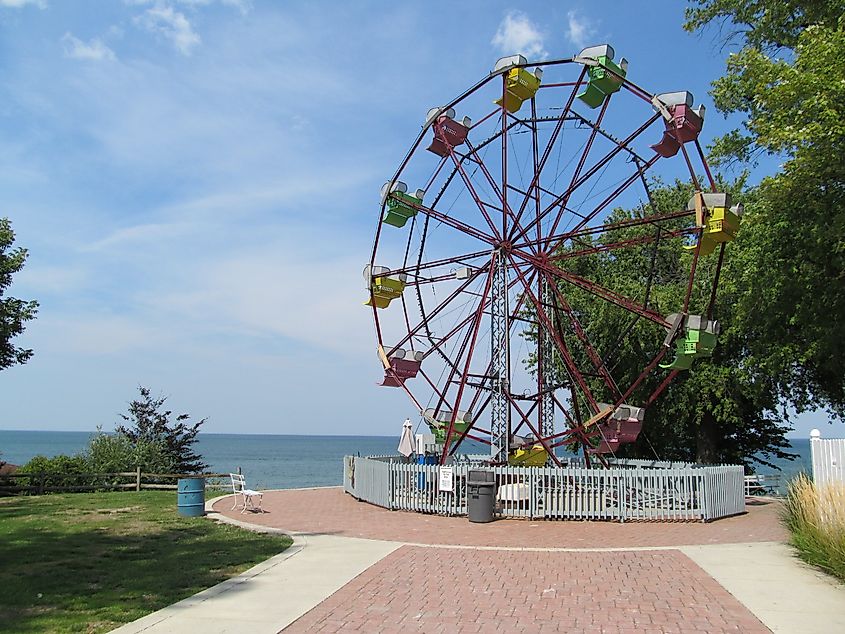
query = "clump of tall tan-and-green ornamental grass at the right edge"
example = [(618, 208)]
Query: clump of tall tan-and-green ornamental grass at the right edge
[(815, 515)]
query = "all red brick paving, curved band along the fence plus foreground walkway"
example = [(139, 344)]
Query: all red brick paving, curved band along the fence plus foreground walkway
[(455, 576)]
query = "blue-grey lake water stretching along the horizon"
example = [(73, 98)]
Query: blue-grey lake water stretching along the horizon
[(280, 461)]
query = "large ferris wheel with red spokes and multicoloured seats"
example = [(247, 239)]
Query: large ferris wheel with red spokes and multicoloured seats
[(484, 240)]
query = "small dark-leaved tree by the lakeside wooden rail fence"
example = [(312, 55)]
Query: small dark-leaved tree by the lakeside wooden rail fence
[(150, 426)]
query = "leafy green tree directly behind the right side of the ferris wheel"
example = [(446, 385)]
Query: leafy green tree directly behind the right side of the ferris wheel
[(722, 409)]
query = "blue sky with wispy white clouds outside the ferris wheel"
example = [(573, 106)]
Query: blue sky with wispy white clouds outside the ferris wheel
[(197, 182)]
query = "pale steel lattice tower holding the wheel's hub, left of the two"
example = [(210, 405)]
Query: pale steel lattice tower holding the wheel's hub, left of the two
[(500, 423)]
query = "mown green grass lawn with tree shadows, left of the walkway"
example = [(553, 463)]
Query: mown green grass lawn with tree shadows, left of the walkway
[(91, 562)]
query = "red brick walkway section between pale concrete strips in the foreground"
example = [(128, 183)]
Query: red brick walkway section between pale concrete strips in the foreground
[(467, 590)]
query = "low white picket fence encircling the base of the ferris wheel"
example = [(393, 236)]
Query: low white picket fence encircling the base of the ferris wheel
[(624, 492)]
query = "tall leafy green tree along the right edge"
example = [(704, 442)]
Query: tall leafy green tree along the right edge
[(786, 83)]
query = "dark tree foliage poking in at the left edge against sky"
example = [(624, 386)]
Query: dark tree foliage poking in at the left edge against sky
[(14, 313)]
